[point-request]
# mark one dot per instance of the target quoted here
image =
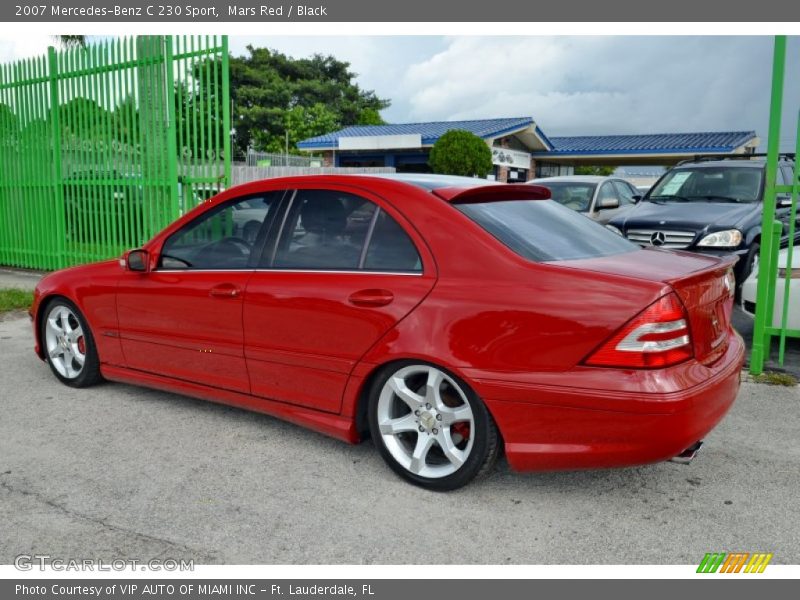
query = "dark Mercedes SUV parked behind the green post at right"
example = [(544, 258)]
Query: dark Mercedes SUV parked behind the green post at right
[(712, 206)]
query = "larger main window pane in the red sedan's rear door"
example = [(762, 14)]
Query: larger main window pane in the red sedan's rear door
[(324, 230)]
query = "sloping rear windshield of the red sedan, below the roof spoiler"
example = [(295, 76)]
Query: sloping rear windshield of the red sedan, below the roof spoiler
[(543, 230)]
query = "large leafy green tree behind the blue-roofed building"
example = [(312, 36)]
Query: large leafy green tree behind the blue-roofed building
[(273, 93)]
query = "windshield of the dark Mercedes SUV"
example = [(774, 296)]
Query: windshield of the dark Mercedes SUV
[(709, 184)]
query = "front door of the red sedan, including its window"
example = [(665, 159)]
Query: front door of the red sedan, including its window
[(183, 319)]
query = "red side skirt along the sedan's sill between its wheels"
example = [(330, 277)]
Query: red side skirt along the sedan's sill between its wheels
[(342, 428)]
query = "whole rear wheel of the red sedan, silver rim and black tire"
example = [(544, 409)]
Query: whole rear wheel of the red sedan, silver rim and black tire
[(430, 427)]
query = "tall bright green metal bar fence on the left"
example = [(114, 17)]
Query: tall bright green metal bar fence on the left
[(101, 147)]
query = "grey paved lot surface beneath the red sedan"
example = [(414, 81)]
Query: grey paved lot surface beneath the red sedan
[(122, 472)]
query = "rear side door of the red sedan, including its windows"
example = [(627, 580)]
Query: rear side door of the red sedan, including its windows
[(344, 270)]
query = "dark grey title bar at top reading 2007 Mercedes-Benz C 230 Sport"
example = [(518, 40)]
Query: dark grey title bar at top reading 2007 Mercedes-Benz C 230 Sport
[(711, 11)]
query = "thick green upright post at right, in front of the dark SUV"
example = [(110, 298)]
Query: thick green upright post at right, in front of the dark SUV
[(766, 275)]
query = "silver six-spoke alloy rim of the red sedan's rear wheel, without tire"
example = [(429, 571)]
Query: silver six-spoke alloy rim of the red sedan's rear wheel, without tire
[(425, 421)]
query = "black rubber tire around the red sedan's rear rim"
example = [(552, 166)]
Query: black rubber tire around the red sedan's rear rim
[(485, 442)]
